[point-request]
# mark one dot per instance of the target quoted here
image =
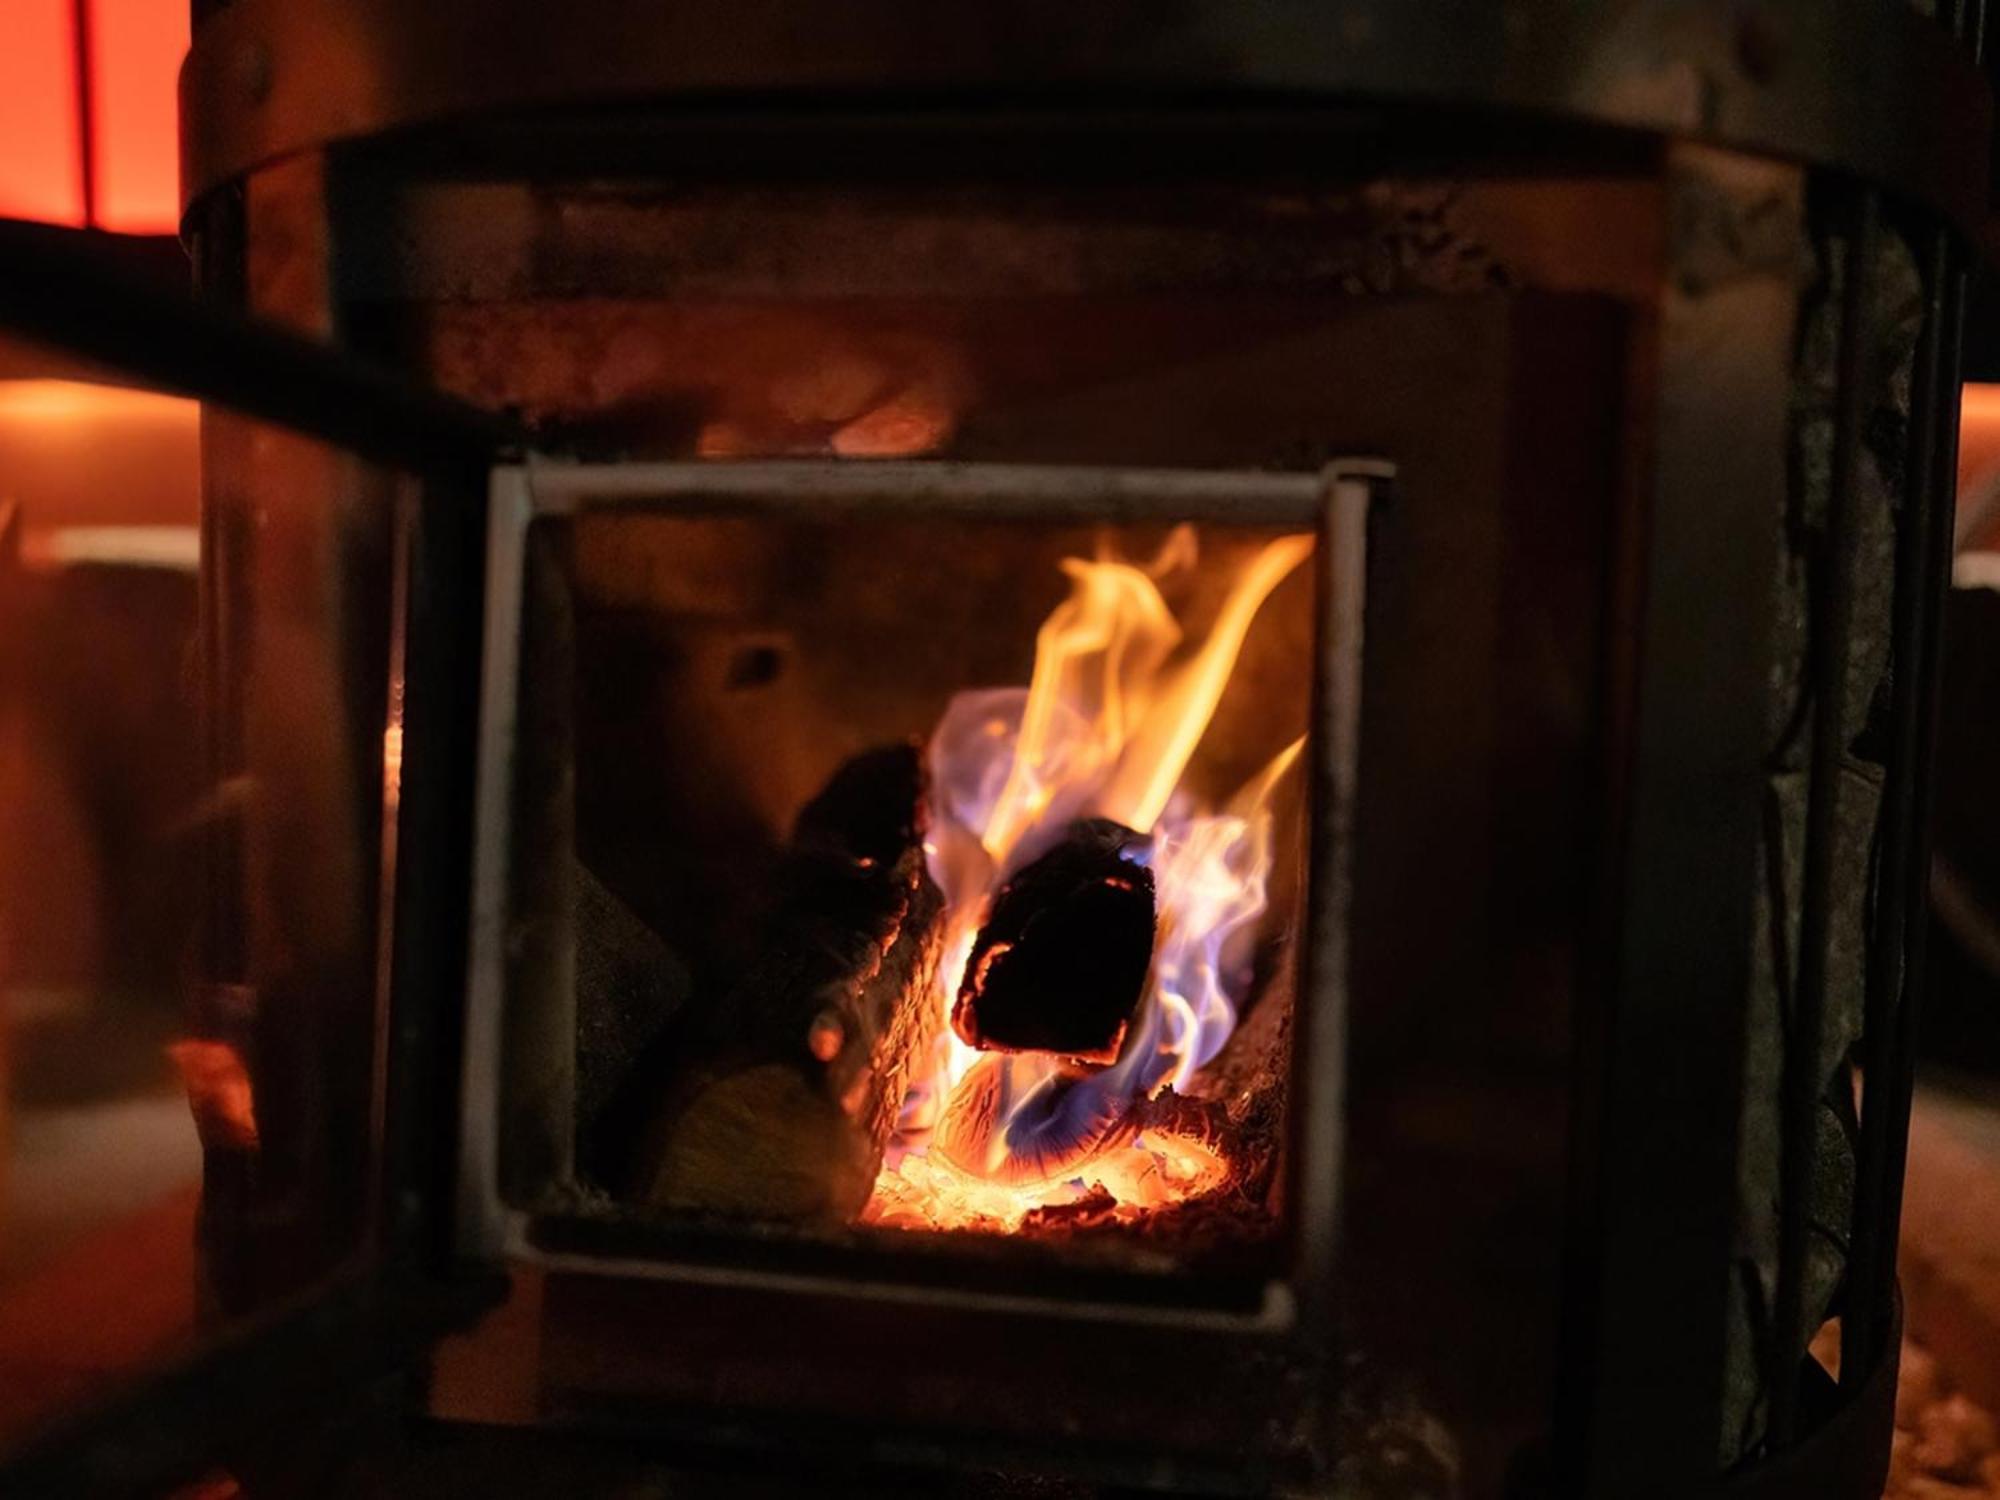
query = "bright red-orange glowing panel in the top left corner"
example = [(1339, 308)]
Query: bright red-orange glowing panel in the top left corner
[(133, 135)]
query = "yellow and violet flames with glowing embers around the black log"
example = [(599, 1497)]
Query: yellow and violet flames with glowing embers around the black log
[(1105, 729)]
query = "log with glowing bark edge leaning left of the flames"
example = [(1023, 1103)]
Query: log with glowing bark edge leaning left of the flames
[(791, 1083)]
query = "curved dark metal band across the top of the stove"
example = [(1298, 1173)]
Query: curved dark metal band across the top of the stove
[(1867, 87)]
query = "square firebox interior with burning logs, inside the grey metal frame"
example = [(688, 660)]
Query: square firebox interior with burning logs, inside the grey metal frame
[(911, 875)]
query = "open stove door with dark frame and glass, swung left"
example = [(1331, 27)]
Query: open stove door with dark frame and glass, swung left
[(235, 767)]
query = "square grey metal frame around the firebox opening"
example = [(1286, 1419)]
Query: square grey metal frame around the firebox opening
[(1335, 503)]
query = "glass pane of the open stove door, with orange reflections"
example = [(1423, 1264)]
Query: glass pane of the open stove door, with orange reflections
[(191, 809)]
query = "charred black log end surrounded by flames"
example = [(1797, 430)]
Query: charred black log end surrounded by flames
[(1061, 965)]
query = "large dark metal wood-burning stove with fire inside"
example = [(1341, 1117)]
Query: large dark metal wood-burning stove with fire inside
[(1177, 751)]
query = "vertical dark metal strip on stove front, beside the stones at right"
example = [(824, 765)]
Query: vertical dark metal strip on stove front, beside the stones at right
[(1663, 1063)]
